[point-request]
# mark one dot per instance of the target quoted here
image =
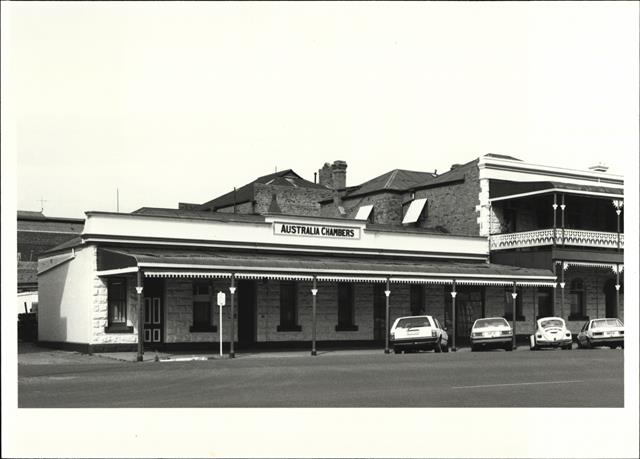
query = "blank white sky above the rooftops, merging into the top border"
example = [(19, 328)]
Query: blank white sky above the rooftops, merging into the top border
[(160, 103)]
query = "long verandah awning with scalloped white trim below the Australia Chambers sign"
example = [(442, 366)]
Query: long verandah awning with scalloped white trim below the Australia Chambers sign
[(189, 263)]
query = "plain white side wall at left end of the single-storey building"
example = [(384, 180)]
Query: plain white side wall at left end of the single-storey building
[(65, 297)]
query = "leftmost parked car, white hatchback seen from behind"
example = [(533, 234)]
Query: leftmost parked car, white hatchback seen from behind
[(419, 332)]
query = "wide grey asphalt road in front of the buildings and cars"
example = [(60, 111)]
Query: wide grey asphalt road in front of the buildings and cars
[(552, 378)]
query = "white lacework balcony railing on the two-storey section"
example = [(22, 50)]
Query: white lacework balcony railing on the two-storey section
[(572, 237)]
